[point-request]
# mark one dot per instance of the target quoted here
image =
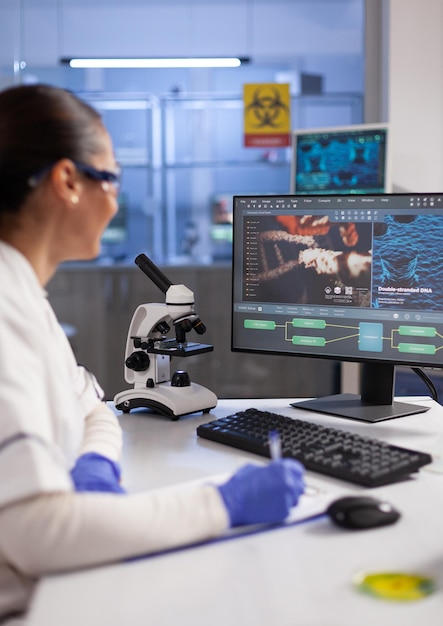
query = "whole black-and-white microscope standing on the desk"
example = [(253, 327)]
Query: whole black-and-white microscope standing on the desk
[(149, 352)]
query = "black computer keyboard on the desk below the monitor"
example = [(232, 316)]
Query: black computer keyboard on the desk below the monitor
[(331, 451)]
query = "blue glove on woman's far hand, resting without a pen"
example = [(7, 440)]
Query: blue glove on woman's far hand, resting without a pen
[(93, 472)]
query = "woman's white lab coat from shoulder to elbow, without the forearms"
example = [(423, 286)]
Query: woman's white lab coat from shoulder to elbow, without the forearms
[(44, 395)]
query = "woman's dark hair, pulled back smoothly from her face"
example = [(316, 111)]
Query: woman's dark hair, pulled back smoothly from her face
[(39, 125)]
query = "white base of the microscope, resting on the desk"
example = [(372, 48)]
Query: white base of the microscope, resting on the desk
[(167, 400)]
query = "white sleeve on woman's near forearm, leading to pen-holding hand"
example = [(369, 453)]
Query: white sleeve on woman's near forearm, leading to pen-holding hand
[(59, 532)]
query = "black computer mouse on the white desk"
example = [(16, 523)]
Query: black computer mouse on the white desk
[(361, 512)]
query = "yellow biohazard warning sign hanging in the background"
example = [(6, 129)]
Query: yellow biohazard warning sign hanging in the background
[(267, 115)]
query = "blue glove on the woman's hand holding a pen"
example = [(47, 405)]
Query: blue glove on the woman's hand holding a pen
[(259, 495)]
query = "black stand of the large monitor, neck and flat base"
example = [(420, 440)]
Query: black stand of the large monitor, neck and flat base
[(375, 403)]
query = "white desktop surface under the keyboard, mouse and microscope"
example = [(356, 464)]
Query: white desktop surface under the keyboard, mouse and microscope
[(290, 576)]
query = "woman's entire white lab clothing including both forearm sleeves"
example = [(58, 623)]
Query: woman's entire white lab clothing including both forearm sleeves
[(50, 413)]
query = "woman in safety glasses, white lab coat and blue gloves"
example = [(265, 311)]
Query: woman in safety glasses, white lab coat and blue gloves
[(61, 502)]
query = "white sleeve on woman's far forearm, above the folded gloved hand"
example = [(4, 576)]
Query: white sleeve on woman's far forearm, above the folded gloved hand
[(102, 433)]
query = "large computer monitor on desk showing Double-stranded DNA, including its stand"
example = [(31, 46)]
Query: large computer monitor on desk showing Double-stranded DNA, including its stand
[(354, 278)]
